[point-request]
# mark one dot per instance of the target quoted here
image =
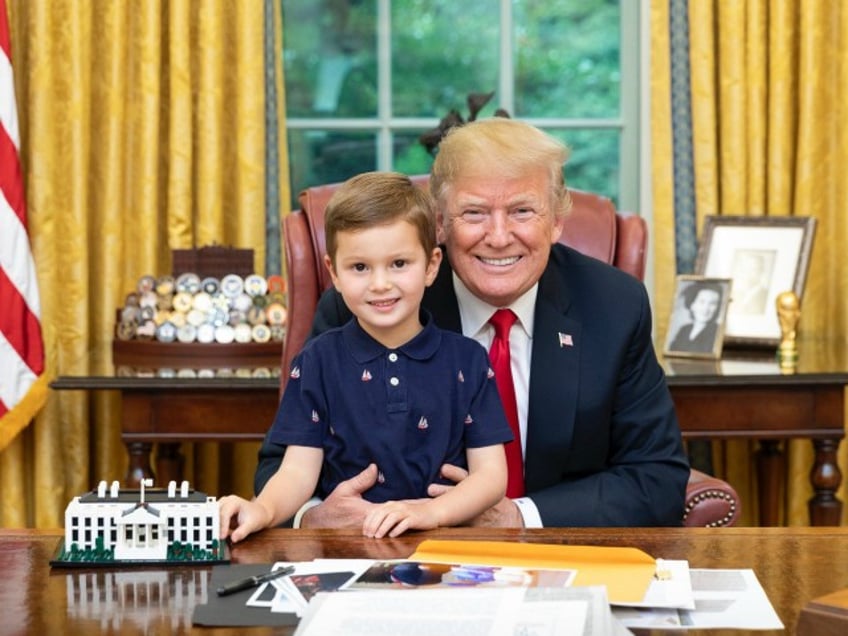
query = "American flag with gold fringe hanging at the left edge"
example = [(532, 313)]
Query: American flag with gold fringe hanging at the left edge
[(23, 387)]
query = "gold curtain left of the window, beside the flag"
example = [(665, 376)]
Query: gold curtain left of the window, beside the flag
[(143, 130)]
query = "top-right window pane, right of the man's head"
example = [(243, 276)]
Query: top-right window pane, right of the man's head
[(566, 58)]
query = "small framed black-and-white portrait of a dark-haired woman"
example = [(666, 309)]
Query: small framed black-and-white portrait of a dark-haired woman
[(698, 316)]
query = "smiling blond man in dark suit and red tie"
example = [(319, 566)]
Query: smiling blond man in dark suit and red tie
[(599, 436)]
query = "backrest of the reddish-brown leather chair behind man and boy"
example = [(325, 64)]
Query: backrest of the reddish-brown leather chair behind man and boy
[(593, 227)]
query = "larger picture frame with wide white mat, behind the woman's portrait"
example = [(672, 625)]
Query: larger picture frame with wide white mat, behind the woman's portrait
[(763, 256)]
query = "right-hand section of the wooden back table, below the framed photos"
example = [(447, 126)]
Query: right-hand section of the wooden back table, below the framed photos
[(745, 395)]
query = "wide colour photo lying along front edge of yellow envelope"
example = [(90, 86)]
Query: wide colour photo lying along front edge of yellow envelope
[(417, 574)]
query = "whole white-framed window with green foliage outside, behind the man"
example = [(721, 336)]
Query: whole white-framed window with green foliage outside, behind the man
[(364, 78)]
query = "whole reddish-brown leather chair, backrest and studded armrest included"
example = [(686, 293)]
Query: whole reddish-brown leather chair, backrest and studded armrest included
[(593, 227)]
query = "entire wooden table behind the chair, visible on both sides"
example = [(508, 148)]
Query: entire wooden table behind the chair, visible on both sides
[(740, 397)]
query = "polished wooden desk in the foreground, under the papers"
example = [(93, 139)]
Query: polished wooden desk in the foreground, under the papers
[(794, 565)]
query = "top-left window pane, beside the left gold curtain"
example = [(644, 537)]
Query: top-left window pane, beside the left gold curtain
[(330, 58)]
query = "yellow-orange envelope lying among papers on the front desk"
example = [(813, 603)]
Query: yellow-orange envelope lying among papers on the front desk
[(626, 572)]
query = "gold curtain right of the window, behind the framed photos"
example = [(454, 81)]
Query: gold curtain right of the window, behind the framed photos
[(769, 88)]
